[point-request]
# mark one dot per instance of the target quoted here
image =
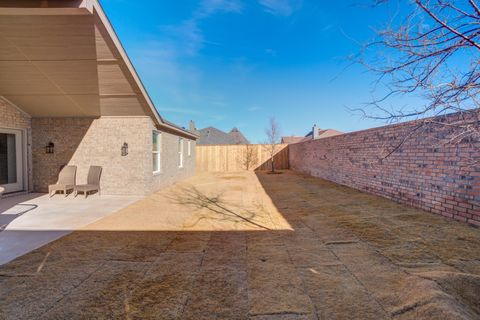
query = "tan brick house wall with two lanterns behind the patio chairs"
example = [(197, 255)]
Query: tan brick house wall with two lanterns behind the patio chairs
[(84, 142)]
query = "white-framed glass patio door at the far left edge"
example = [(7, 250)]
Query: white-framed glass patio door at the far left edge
[(11, 160)]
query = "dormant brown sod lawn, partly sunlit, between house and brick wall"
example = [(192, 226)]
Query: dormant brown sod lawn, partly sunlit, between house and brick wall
[(252, 246)]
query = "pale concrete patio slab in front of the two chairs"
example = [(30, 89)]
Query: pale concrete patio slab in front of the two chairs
[(30, 221)]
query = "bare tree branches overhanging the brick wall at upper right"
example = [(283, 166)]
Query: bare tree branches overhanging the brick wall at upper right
[(432, 51)]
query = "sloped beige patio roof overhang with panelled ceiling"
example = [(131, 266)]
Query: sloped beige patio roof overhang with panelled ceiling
[(62, 58)]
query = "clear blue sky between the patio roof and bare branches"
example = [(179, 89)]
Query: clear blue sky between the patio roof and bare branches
[(236, 63)]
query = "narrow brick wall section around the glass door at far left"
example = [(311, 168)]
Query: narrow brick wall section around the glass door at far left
[(13, 118)]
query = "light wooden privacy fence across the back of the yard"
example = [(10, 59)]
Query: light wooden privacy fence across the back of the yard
[(234, 158)]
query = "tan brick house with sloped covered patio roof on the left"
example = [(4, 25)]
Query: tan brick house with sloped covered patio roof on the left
[(70, 95)]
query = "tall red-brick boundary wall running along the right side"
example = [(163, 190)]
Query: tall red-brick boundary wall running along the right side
[(423, 172)]
